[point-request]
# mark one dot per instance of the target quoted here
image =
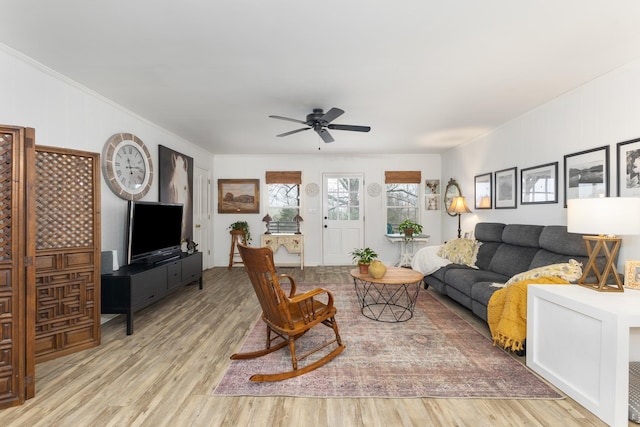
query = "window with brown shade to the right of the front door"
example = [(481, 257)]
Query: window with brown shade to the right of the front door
[(402, 198)]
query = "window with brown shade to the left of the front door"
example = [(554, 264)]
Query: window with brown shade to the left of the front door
[(284, 200)]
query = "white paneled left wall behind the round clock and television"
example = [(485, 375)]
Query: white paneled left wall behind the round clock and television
[(65, 114)]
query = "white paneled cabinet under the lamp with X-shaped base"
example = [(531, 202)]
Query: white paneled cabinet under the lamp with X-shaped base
[(581, 341)]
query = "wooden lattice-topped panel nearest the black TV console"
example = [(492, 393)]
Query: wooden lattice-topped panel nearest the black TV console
[(67, 251)]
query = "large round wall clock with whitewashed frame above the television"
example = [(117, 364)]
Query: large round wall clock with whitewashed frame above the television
[(127, 167)]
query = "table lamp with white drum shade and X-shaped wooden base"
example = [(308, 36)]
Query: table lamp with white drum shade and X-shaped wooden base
[(606, 218)]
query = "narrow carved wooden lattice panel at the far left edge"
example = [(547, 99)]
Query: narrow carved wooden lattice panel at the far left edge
[(17, 249)]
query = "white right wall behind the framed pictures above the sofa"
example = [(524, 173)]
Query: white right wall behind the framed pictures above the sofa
[(603, 112)]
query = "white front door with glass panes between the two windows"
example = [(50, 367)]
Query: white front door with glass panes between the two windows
[(343, 217)]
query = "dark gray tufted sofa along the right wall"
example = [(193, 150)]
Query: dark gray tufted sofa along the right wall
[(506, 250)]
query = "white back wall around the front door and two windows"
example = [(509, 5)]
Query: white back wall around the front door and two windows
[(312, 167)]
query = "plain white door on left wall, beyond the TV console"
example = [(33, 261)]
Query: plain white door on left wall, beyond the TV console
[(202, 214)]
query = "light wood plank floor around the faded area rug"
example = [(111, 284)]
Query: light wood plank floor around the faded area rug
[(164, 373)]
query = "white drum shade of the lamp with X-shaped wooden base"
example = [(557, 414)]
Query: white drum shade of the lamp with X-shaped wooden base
[(604, 216)]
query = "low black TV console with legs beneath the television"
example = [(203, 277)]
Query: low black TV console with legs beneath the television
[(136, 286)]
